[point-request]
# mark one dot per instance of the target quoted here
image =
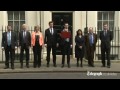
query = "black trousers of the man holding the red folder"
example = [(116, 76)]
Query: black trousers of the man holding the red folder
[(66, 51)]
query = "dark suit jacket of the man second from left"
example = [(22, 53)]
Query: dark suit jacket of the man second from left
[(21, 39)]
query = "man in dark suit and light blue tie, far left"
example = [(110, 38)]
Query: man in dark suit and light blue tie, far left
[(9, 44)]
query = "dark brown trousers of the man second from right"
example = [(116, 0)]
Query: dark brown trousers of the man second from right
[(90, 53)]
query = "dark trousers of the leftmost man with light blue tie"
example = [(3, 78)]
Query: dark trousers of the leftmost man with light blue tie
[(9, 52)]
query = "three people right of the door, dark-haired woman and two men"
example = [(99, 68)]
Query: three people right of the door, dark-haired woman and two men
[(88, 43)]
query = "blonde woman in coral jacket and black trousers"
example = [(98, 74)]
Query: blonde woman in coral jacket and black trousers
[(37, 41)]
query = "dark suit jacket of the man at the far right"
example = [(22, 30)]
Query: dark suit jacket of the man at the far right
[(105, 40)]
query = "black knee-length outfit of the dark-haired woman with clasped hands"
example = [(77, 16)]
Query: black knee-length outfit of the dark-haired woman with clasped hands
[(79, 42)]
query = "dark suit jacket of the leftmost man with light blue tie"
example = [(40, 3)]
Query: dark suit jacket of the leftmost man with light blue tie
[(13, 40)]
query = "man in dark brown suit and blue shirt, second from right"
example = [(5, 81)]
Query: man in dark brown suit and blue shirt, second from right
[(90, 42)]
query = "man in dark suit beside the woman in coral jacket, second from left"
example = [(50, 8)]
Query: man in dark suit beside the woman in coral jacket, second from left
[(24, 43)]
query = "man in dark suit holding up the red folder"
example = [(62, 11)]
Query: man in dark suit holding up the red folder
[(66, 44)]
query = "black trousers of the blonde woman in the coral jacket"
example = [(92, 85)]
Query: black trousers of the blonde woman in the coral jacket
[(37, 55)]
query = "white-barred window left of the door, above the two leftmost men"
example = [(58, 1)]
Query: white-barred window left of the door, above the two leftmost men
[(16, 19)]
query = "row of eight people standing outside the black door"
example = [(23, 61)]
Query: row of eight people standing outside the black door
[(36, 40)]
